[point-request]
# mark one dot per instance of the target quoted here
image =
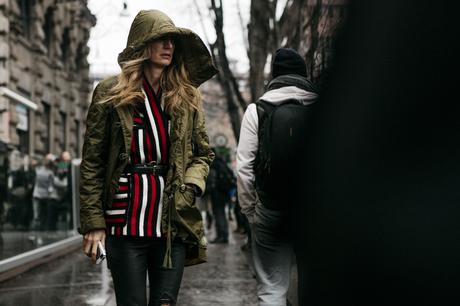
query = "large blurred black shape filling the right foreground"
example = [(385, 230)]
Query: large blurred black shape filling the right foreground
[(380, 212)]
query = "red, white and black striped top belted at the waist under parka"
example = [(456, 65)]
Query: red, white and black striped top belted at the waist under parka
[(137, 204)]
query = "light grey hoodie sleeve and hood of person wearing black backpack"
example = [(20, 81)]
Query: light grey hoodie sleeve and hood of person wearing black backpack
[(248, 143)]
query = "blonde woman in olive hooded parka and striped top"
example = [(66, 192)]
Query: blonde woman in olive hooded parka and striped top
[(146, 156)]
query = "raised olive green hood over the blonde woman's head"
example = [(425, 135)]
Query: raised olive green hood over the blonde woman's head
[(149, 25)]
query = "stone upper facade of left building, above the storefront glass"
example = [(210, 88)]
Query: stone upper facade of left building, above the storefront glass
[(44, 82)]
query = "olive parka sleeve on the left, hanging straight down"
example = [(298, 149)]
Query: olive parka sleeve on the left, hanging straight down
[(93, 165)]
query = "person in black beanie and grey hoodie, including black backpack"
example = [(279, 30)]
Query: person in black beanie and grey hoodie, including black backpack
[(269, 152)]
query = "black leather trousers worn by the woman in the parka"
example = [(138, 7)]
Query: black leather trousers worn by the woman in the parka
[(129, 259)]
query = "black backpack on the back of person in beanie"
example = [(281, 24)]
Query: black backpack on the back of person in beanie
[(281, 134)]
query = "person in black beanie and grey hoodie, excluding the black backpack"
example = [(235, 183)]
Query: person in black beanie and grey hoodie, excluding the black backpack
[(272, 250)]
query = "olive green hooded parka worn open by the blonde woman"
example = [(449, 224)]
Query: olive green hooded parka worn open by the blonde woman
[(106, 148)]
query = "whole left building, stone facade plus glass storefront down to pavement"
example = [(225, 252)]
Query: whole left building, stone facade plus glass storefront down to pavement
[(44, 93)]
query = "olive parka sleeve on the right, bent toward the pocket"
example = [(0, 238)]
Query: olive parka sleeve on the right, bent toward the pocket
[(203, 156)]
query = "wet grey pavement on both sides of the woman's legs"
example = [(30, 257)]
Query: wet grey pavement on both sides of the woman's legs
[(226, 279)]
